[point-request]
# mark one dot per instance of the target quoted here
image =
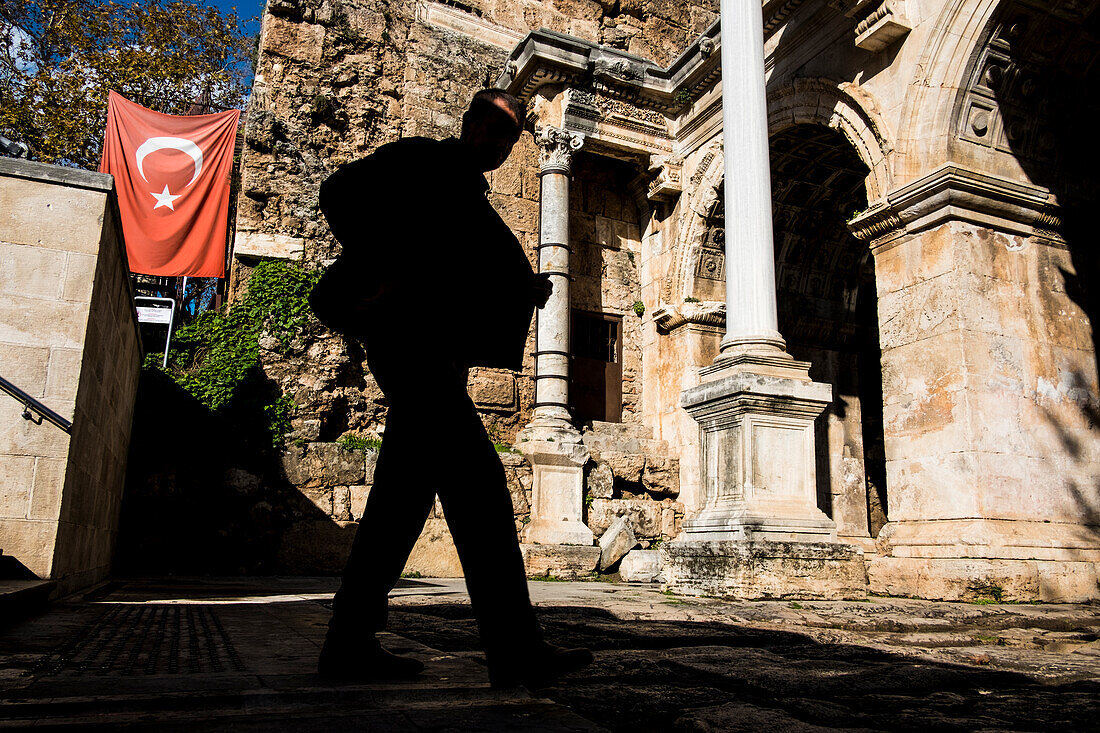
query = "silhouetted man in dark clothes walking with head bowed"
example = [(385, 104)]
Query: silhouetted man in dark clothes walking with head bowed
[(434, 282)]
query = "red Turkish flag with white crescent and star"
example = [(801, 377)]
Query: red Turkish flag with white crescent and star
[(172, 177)]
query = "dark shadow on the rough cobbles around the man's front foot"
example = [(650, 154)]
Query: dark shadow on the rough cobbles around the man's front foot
[(658, 676)]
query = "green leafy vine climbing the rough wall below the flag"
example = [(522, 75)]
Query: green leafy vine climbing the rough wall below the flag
[(216, 358)]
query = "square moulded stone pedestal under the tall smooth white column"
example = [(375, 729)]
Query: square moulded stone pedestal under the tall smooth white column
[(760, 533)]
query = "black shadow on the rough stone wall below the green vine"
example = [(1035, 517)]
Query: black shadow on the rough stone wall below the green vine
[(205, 494)]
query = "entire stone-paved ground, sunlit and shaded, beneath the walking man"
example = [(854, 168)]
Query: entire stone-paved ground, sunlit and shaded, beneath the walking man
[(240, 654)]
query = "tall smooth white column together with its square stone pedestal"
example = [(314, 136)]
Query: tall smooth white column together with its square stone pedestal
[(760, 528)]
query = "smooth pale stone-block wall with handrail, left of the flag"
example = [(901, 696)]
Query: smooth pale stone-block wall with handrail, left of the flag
[(69, 337)]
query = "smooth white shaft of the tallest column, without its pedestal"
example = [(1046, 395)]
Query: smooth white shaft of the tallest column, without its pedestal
[(752, 320)]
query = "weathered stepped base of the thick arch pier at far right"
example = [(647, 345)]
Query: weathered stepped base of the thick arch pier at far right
[(988, 560)]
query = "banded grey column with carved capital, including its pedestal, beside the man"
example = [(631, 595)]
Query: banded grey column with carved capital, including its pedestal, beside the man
[(552, 442)]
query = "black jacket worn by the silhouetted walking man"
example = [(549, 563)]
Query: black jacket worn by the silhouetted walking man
[(425, 255)]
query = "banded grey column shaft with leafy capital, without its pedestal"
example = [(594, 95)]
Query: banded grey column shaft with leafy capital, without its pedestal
[(552, 352)]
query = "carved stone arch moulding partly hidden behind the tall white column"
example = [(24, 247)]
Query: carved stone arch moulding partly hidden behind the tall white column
[(843, 107)]
